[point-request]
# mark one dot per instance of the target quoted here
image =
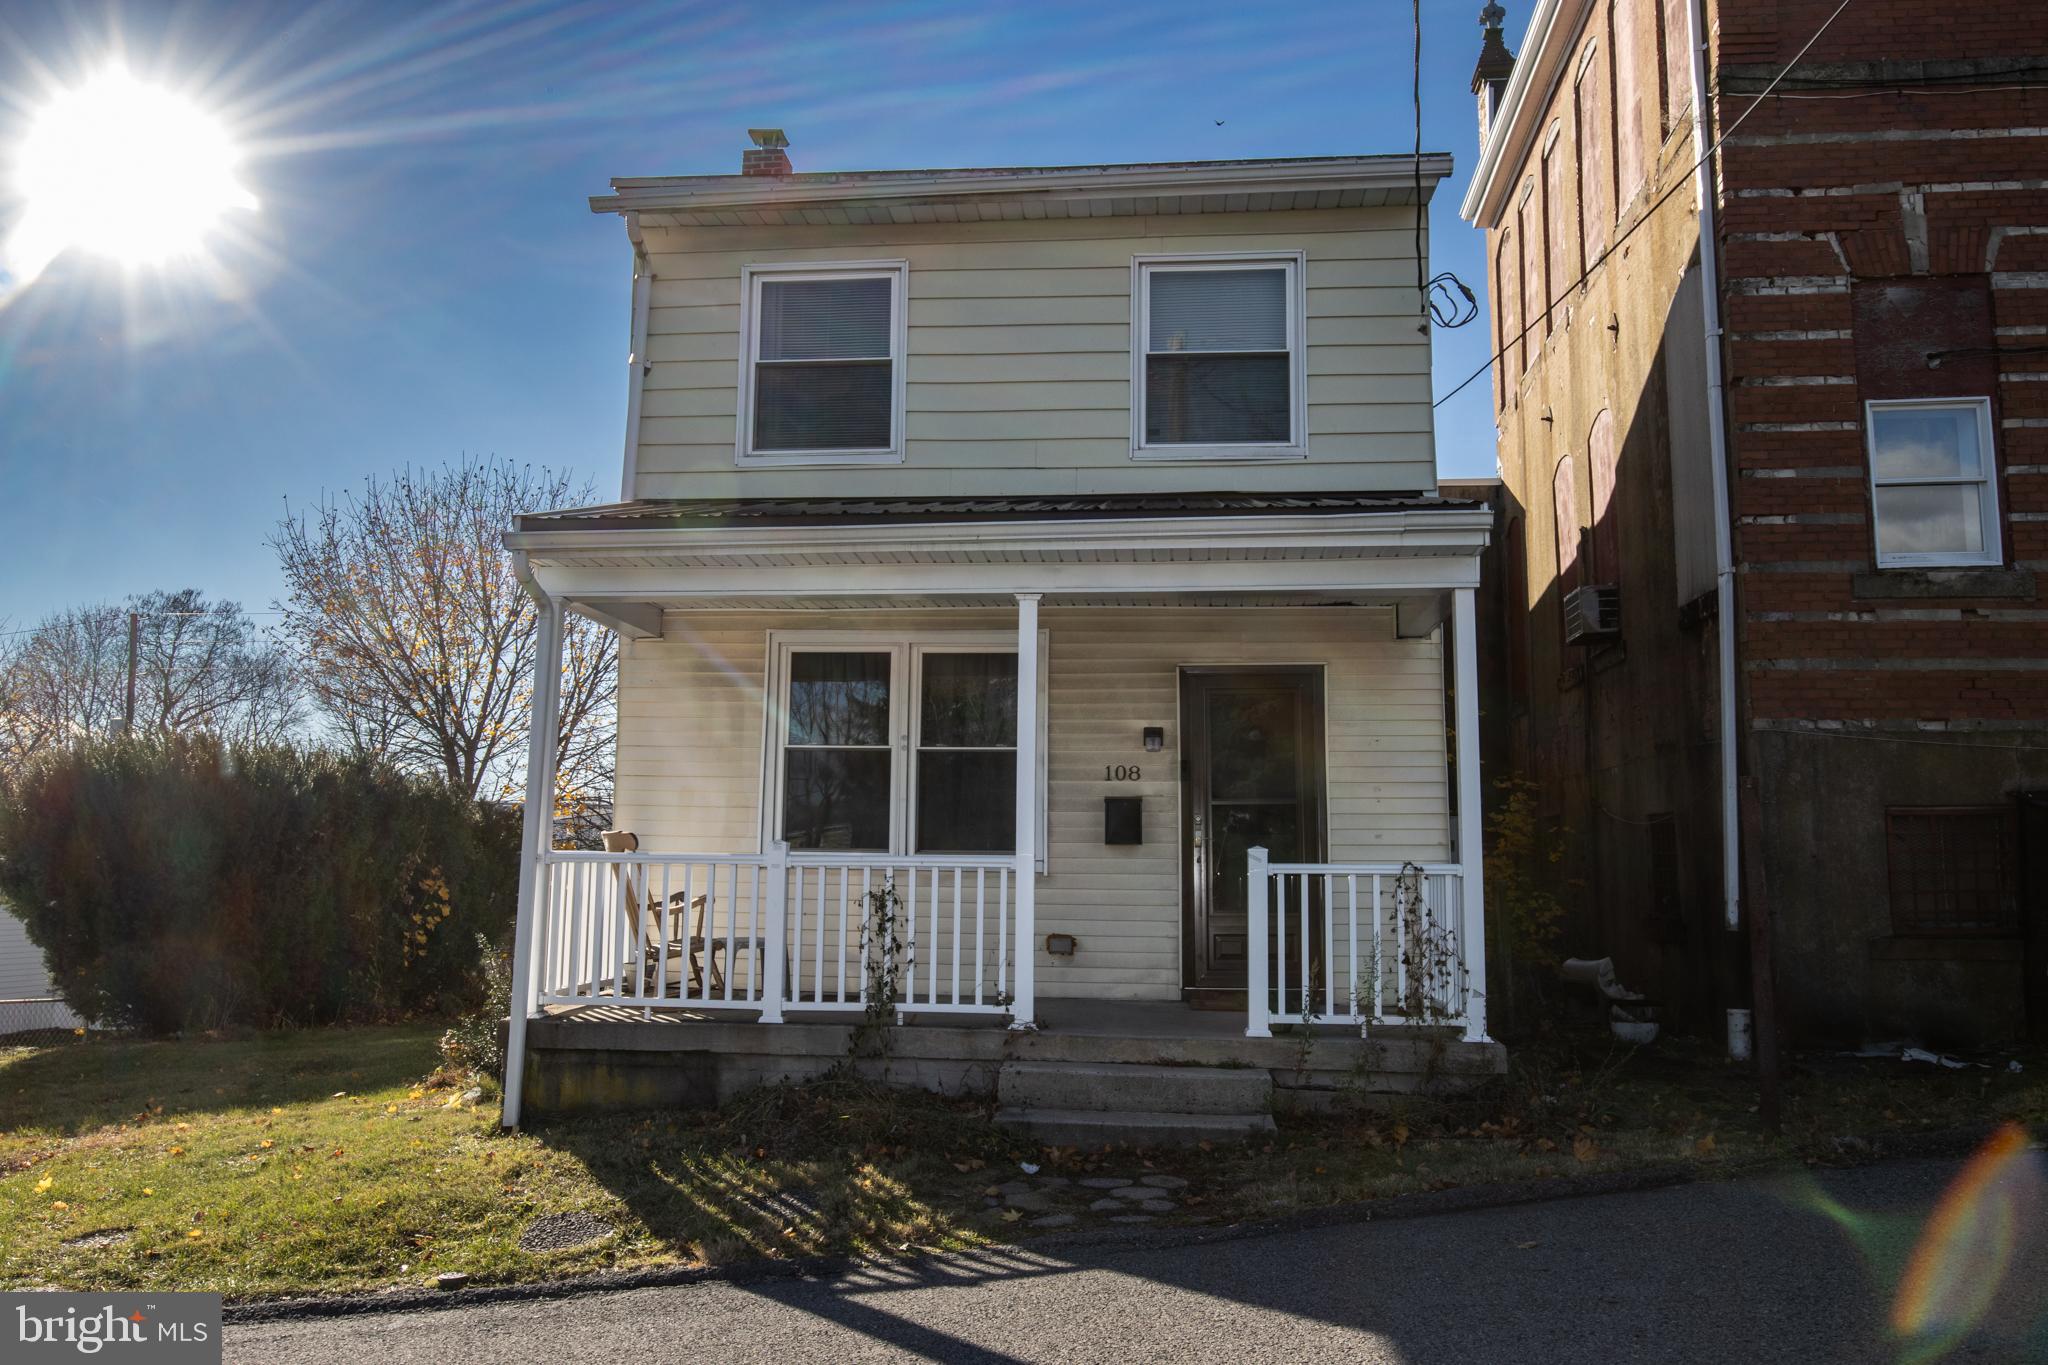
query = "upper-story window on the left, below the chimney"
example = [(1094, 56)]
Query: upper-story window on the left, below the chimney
[(822, 363)]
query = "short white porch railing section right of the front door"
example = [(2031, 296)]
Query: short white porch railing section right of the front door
[(1361, 944)]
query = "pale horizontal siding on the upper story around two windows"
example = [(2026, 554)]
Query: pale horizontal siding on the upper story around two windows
[(1019, 355)]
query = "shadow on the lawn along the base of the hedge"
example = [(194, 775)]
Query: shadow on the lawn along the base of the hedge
[(83, 1086)]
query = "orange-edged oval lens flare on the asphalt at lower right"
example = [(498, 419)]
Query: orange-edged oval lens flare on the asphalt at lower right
[(1969, 1243)]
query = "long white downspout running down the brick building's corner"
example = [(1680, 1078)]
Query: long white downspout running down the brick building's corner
[(1717, 435)]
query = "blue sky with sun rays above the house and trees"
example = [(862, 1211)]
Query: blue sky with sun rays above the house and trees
[(425, 279)]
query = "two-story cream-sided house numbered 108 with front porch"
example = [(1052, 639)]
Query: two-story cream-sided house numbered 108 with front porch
[(1037, 611)]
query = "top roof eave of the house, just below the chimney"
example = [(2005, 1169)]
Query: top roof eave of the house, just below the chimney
[(1367, 173)]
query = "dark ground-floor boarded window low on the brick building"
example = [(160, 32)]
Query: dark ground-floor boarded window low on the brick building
[(1953, 871)]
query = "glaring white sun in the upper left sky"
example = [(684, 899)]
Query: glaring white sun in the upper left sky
[(126, 171)]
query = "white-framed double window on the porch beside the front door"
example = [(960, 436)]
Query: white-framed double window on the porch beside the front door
[(896, 746)]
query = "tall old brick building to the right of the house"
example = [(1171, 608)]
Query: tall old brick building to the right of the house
[(1814, 464)]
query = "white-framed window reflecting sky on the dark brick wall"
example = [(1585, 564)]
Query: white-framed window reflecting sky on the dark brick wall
[(1932, 482)]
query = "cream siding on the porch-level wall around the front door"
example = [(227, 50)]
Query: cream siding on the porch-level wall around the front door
[(691, 752)]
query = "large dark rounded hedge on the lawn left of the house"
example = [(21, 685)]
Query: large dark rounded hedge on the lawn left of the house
[(187, 885)]
